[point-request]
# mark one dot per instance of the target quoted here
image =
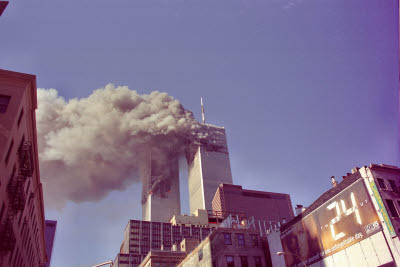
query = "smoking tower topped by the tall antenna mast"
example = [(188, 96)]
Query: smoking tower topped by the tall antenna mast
[(208, 166)]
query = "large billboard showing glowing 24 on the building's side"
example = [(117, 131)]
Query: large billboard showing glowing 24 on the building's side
[(342, 221)]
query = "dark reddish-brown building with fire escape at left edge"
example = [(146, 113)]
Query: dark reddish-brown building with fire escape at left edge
[(22, 220)]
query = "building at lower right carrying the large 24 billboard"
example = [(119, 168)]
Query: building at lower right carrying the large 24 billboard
[(352, 224)]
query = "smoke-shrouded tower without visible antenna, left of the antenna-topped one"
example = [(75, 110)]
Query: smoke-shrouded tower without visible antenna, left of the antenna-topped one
[(160, 194)]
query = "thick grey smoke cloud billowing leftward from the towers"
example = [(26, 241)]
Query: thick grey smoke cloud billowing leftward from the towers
[(91, 146)]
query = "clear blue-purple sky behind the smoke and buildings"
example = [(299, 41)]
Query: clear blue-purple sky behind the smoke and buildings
[(306, 89)]
